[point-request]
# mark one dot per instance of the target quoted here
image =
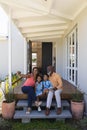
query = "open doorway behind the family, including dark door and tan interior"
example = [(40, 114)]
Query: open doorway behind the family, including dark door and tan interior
[(41, 54)]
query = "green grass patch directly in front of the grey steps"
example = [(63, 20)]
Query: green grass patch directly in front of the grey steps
[(42, 125)]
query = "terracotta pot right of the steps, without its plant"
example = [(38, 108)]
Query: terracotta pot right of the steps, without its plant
[(77, 109)]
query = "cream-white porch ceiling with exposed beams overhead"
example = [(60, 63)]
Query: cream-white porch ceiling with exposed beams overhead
[(43, 19)]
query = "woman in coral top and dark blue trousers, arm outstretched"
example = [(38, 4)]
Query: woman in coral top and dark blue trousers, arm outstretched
[(29, 87)]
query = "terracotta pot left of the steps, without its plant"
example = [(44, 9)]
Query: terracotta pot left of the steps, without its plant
[(8, 110)]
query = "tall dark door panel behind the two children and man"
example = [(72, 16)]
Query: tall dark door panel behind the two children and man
[(46, 55)]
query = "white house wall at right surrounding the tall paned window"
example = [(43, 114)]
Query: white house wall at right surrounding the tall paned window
[(81, 22)]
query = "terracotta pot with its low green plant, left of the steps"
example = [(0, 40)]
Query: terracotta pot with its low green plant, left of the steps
[(8, 105)]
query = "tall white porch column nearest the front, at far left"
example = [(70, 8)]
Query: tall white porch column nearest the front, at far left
[(10, 49)]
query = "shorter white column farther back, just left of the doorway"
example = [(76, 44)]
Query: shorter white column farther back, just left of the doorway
[(25, 56)]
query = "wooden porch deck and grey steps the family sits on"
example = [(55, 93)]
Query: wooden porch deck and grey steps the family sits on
[(21, 106)]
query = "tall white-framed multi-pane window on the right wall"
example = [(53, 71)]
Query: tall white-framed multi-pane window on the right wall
[(72, 56)]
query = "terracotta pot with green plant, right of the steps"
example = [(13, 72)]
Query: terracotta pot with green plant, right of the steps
[(77, 104)]
